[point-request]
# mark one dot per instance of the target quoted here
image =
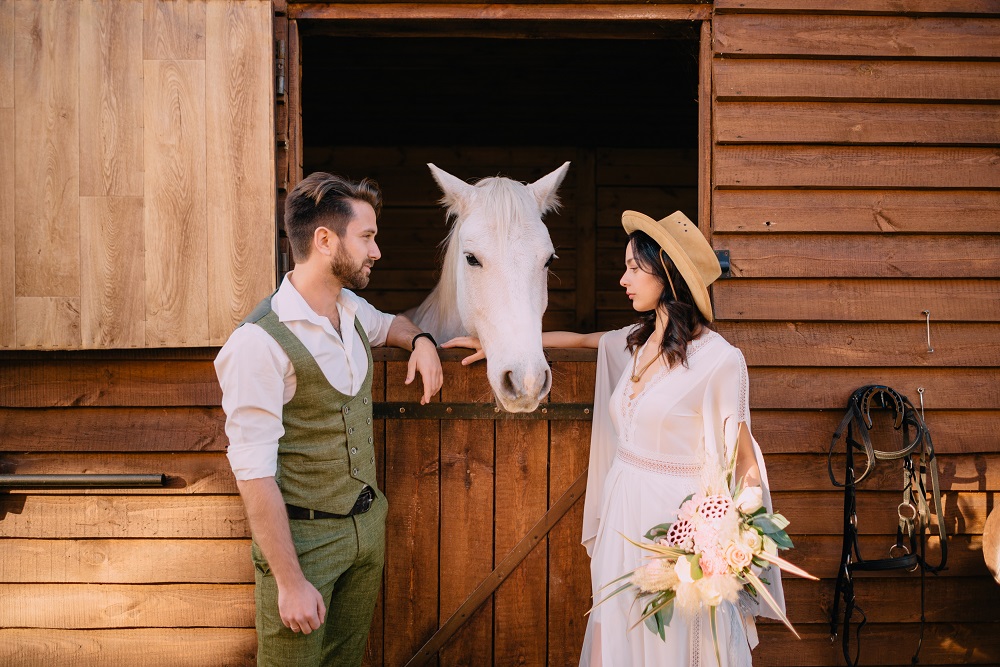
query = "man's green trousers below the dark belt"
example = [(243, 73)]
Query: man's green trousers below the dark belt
[(343, 559)]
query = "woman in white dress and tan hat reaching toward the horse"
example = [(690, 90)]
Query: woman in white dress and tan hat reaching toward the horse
[(671, 397)]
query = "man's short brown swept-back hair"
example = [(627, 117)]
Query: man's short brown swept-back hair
[(324, 200)]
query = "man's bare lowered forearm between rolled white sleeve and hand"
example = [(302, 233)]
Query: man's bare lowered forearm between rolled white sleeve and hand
[(269, 523)]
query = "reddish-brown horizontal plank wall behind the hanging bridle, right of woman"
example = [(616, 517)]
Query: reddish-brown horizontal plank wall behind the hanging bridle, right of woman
[(856, 174)]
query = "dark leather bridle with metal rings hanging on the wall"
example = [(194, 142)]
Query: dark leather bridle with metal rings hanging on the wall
[(913, 511)]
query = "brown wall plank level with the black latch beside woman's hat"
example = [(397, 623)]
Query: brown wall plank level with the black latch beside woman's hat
[(861, 255)]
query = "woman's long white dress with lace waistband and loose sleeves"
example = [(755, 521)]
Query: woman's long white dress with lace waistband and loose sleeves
[(647, 455)]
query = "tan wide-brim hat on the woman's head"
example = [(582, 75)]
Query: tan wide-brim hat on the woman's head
[(686, 247)]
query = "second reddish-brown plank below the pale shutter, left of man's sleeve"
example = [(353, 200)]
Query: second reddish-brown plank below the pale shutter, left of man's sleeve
[(160, 429)]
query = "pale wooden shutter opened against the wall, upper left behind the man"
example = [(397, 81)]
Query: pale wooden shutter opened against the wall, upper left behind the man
[(136, 171)]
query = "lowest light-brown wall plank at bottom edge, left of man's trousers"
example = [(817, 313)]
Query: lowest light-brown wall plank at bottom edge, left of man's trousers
[(150, 647)]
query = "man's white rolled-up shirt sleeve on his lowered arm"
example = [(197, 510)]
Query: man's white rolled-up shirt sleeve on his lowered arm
[(251, 368)]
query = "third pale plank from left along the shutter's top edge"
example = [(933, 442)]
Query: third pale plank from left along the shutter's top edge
[(111, 160)]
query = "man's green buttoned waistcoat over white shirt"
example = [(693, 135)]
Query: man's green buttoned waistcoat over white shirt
[(327, 454)]
